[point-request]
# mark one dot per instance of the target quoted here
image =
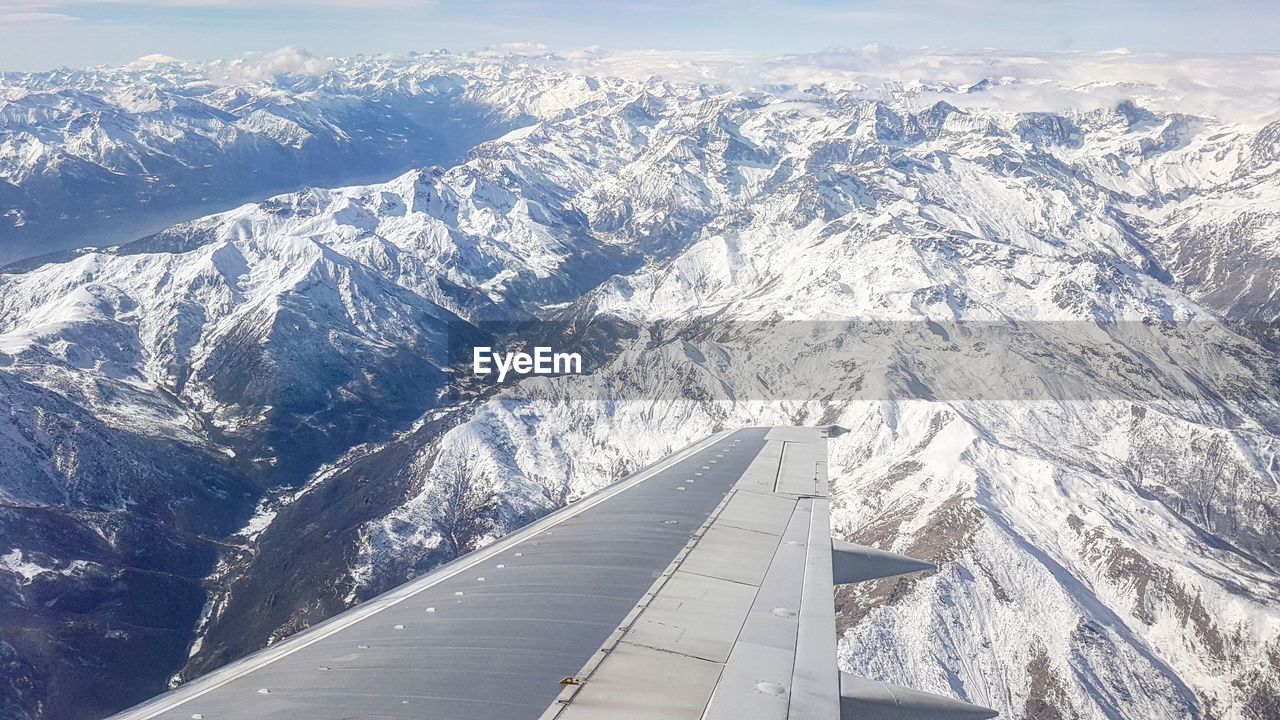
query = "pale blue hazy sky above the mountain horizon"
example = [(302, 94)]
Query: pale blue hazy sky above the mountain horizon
[(47, 34)]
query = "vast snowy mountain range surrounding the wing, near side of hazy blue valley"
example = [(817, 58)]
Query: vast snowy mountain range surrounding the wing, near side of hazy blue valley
[(1052, 335)]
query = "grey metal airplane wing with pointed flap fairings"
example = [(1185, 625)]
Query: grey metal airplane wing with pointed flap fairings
[(701, 587)]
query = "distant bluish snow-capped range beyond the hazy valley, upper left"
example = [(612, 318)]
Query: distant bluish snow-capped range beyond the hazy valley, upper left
[(111, 154)]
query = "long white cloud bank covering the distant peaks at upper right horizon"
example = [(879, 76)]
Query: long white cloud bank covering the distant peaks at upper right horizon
[(1244, 89)]
